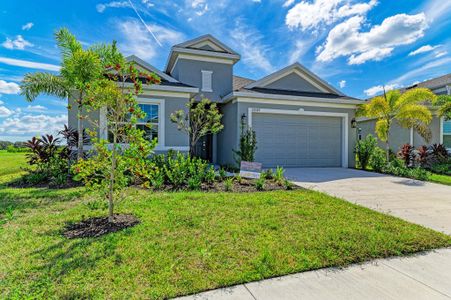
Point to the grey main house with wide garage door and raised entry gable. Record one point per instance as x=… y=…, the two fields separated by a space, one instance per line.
x=300 y=120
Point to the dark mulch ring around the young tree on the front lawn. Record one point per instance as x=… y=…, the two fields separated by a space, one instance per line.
x=95 y=227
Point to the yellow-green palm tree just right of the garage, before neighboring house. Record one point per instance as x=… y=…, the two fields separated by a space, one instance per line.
x=408 y=110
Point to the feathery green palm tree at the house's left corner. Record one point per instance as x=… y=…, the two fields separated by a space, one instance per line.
x=79 y=68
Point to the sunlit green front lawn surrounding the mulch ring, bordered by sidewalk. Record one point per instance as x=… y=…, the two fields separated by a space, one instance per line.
x=187 y=242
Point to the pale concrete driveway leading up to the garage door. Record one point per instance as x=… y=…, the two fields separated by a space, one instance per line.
x=424 y=203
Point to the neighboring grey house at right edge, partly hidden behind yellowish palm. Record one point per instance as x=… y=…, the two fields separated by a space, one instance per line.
x=441 y=129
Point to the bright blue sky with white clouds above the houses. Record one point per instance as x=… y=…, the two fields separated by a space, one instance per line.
x=356 y=45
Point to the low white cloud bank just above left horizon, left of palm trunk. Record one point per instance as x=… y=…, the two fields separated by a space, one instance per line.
x=32 y=125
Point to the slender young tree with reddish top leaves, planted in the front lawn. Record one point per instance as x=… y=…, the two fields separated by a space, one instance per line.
x=106 y=169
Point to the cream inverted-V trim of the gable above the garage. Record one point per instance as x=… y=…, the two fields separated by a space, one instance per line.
x=302 y=72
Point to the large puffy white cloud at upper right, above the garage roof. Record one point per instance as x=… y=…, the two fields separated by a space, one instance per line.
x=347 y=39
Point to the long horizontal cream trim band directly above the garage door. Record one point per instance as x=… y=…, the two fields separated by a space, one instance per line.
x=303 y=101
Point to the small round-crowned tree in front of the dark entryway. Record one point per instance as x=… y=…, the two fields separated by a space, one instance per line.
x=203 y=118
